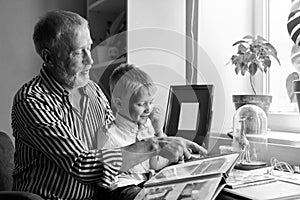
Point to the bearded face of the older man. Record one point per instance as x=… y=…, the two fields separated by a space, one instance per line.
x=75 y=61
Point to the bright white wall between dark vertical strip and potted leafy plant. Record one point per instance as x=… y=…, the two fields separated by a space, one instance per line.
x=221 y=23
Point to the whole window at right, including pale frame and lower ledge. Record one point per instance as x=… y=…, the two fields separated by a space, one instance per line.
x=282 y=109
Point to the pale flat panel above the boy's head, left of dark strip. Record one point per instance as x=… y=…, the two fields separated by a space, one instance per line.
x=156 y=41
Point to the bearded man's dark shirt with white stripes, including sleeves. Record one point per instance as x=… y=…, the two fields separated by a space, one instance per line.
x=55 y=144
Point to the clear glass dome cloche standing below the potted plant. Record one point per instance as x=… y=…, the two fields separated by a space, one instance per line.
x=250 y=128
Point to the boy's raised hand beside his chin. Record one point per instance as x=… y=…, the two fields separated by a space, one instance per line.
x=157 y=120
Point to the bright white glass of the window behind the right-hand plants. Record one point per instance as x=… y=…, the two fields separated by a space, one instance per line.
x=279 y=37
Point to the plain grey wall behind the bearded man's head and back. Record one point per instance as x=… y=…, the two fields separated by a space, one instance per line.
x=18 y=60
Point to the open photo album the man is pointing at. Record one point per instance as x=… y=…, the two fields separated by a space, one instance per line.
x=202 y=178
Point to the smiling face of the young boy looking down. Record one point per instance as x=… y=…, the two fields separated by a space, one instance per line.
x=139 y=106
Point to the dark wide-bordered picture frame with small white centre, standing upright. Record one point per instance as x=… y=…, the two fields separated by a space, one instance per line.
x=189 y=112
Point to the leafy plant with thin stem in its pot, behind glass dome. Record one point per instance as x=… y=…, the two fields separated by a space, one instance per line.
x=254 y=54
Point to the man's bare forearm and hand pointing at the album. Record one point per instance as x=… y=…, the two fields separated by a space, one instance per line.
x=172 y=148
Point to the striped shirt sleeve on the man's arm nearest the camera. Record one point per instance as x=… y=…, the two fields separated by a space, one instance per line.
x=40 y=126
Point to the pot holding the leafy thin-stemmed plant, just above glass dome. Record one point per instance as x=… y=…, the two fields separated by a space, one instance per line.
x=263 y=101
